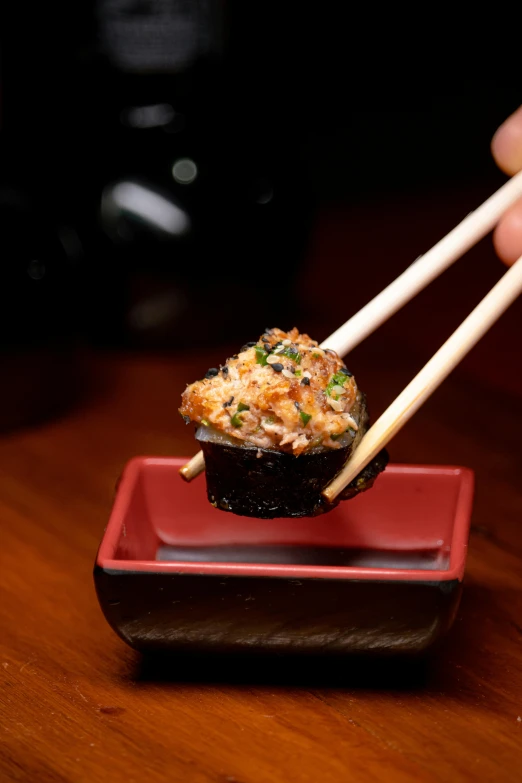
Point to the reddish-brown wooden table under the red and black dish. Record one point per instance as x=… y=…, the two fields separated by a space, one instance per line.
x=77 y=705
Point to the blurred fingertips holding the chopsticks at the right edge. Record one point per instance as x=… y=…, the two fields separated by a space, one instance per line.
x=506 y=147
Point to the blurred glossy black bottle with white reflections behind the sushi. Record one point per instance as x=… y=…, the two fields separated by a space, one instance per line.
x=149 y=127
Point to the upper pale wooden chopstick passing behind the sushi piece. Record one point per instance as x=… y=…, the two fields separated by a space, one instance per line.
x=416 y=277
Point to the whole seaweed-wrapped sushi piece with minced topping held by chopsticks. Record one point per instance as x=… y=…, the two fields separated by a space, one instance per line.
x=276 y=423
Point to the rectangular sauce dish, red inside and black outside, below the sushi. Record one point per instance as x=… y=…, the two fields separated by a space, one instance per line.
x=381 y=573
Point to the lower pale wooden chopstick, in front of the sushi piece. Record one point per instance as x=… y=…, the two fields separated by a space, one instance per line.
x=501 y=296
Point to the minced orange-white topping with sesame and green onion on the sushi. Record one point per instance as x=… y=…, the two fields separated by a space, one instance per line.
x=282 y=392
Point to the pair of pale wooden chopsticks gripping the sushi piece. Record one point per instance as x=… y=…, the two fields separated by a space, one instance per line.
x=416 y=277
